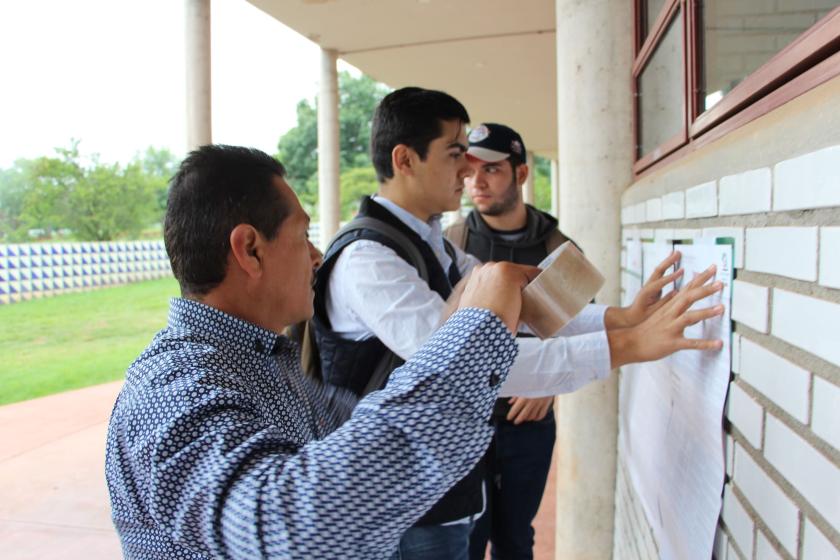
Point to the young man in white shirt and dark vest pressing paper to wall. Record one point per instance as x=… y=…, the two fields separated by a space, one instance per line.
x=370 y=300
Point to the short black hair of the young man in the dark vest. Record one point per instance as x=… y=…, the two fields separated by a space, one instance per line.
x=412 y=116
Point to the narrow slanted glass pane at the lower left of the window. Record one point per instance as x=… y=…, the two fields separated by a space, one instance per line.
x=661 y=97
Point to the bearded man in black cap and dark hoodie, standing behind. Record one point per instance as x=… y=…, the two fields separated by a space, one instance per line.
x=503 y=228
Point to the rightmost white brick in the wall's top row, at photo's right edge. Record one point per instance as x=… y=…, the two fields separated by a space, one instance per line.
x=808 y=181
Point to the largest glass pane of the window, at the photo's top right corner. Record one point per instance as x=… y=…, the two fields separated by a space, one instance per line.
x=739 y=37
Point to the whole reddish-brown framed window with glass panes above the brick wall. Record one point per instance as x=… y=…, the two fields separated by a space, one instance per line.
x=705 y=67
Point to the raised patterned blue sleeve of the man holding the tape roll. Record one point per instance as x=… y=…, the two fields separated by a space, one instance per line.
x=362 y=486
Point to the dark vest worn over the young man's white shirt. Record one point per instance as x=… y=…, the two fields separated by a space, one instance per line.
x=349 y=364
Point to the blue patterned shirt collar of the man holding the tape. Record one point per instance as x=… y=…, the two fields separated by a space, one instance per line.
x=196 y=317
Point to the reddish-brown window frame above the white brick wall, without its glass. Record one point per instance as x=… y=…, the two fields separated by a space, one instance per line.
x=811 y=59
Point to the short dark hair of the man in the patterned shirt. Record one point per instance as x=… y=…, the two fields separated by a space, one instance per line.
x=216 y=188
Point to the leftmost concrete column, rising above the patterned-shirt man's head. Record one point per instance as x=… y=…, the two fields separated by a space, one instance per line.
x=197 y=35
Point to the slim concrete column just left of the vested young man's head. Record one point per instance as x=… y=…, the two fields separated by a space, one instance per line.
x=329 y=196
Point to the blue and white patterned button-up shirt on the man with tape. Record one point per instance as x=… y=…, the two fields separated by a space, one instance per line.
x=219 y=447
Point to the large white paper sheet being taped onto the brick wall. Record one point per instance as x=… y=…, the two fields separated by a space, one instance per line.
x=672 y=410
